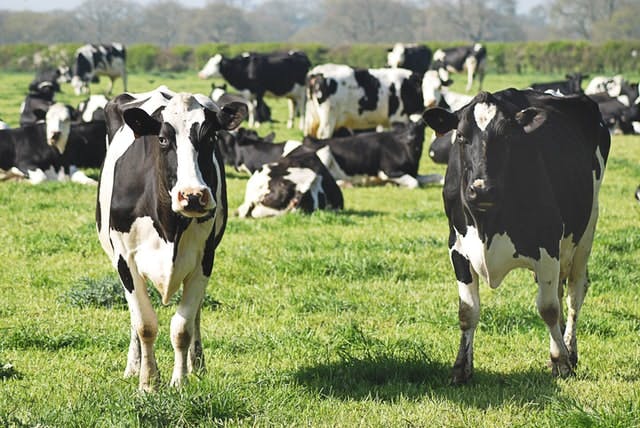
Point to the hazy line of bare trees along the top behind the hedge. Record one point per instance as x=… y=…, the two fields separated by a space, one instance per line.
x=167 y=23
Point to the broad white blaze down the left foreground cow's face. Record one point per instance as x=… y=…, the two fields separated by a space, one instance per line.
x=181 y=113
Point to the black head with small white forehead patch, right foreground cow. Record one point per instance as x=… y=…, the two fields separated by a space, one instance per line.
x=485 y=133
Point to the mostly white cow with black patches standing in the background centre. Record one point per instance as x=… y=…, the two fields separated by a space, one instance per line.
x=356 y=98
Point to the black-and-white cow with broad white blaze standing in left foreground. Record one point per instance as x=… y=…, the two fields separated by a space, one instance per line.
x=161 y=213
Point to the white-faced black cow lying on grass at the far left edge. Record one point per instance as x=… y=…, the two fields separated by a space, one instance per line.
x=36 y=152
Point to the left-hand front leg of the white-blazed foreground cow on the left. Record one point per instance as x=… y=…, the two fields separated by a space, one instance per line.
x=144 y=322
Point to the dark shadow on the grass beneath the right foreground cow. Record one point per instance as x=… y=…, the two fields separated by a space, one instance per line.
x=390 y=379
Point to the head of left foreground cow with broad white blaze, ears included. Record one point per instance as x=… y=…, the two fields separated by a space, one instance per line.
x=185 y=133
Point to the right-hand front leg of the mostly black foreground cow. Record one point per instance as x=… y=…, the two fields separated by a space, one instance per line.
x=547 y=276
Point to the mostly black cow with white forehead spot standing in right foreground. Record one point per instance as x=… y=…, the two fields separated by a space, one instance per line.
x=521 y=190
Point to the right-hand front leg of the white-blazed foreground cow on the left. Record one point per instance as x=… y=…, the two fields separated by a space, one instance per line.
x=183 y=324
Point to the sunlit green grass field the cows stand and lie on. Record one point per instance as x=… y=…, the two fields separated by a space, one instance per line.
x=332 y=319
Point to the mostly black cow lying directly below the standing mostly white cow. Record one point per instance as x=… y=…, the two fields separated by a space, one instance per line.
x=380 y=157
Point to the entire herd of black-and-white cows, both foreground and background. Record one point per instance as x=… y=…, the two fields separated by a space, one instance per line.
x=520 y=191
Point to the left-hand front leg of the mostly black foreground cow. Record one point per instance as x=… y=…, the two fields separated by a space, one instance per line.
x=468 y=315
